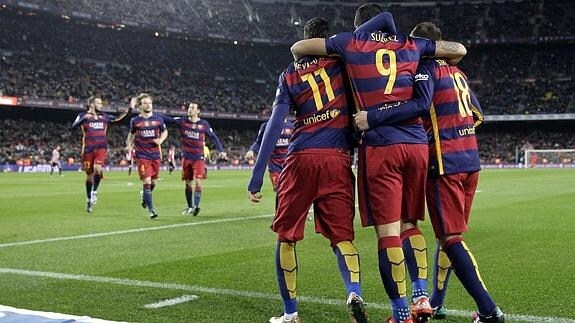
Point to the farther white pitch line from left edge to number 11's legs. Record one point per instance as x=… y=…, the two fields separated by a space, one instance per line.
x=104 y=234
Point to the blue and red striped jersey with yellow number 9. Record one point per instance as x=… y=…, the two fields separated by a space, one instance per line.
x=381 y=69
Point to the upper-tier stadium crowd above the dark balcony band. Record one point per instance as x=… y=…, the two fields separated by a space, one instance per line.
x=41 y=58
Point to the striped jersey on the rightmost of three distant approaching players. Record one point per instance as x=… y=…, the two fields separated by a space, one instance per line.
x=193 y=137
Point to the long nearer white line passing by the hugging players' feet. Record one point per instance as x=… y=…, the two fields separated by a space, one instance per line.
x=250 y=294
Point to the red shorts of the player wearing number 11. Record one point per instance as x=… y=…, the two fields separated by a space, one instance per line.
x=322 y=177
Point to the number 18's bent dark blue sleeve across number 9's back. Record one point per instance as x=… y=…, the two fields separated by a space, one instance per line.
x=420 y=103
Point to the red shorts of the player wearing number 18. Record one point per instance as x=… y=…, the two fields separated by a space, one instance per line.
x=449 y=199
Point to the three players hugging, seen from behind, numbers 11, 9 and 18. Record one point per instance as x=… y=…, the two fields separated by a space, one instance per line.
x=404 y=105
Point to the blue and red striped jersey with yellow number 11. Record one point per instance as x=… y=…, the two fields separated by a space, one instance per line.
x=315 y=88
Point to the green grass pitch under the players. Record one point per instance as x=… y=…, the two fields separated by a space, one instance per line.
x=110 y=264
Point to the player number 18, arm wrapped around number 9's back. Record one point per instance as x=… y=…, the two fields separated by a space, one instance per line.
x=451 y=113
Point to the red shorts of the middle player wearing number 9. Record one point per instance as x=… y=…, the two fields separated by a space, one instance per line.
x=391 y=183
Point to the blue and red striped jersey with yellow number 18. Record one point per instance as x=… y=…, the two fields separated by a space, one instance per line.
x=452 y=118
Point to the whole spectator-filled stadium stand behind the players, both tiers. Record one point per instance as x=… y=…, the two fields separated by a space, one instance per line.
x=227 y=55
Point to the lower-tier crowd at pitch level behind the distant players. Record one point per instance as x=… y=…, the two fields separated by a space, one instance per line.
x=34 y=141
